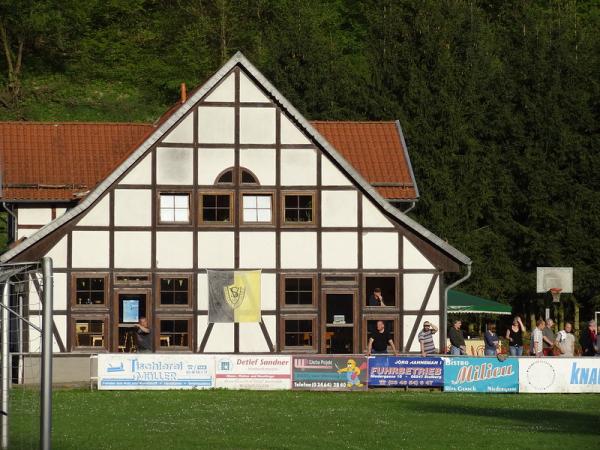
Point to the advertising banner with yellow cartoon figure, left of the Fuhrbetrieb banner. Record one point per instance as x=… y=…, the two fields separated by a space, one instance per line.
x=332 y=373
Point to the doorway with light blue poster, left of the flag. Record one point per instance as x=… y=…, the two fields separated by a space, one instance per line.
x=130 y=305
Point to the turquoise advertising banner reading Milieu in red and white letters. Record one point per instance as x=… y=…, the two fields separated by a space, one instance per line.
x=481 y=375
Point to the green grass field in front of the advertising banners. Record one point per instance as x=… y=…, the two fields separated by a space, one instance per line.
x=269 y=420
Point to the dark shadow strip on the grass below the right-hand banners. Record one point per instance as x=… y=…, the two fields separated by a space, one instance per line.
x=558 y=421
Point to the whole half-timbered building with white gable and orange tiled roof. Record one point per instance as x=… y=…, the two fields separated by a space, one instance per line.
x=233 y=178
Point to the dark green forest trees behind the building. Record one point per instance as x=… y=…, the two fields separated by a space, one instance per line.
x=499 y=101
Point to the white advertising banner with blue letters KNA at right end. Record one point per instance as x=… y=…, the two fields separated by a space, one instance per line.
x=551 y=375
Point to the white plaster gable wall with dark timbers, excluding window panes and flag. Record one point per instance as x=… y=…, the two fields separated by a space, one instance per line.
x=349 y=235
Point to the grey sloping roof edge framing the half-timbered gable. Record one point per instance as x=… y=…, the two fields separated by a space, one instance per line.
x=238 y=59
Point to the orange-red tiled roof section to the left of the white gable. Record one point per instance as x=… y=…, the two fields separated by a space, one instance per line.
x=61 y=161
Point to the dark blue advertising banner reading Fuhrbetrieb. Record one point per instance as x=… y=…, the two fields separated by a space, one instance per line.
x=393 y=371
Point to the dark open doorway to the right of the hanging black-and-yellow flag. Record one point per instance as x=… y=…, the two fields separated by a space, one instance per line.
x=341 y=331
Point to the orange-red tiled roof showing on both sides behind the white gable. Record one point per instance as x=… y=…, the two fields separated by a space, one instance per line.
x=64 y=161
